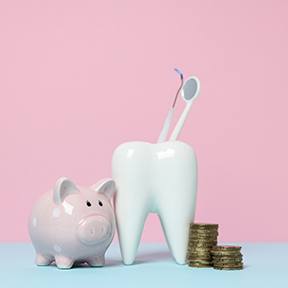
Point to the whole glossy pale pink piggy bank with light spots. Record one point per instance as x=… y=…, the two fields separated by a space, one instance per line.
x=73 y=224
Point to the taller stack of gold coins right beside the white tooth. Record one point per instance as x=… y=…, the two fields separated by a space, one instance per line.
x=202 y=237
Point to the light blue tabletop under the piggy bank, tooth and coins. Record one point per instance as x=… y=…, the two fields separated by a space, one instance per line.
x=265 y=266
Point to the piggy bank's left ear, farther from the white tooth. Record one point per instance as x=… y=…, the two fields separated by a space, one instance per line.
x=63 y=187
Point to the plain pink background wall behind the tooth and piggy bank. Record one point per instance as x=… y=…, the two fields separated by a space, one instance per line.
x=77 y=78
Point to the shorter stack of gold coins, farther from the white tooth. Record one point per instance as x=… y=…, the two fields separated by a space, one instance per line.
x=227 y=257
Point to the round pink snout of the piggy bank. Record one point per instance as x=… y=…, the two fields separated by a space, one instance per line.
x=94 y=229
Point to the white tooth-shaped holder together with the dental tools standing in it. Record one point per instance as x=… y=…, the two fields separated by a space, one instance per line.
x=159 y=178
